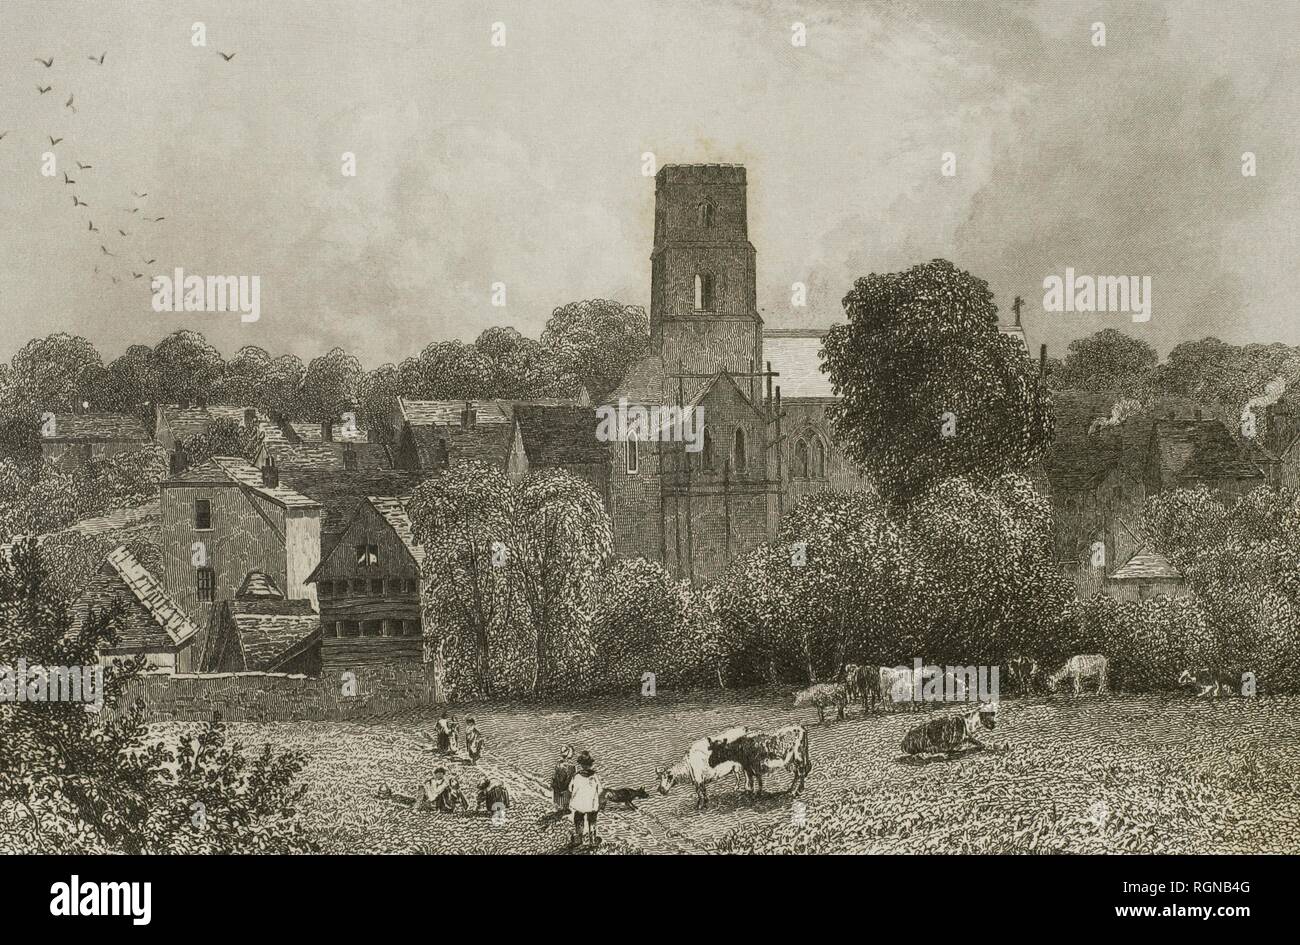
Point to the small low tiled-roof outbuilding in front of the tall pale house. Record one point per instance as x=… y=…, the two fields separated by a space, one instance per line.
x=262 y=631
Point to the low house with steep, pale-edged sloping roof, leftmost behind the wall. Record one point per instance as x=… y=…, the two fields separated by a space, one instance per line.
x=155 y=627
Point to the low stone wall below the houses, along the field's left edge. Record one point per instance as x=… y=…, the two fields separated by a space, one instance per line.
x=372 y=690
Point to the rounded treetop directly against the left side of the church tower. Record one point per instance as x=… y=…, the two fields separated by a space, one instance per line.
x=597 y=341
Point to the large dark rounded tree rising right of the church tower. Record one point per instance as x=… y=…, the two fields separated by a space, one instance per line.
x=928 y=385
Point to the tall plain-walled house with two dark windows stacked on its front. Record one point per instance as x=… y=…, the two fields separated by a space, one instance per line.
x=224 y=519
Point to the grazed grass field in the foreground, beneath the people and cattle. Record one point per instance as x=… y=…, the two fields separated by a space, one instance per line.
x=1115 y=774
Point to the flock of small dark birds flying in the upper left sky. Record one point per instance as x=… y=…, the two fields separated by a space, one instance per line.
x=127 y=245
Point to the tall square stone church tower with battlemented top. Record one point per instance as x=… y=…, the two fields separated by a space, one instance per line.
x=704 y=315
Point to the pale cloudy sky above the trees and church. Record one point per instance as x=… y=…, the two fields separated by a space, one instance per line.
x=523 y=163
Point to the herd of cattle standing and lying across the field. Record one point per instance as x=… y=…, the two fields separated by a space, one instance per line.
x=739 y=752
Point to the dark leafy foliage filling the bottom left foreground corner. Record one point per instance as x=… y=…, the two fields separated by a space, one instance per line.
x=79 y=782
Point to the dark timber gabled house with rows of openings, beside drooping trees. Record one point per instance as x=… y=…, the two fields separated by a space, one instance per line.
x=369 y=587
